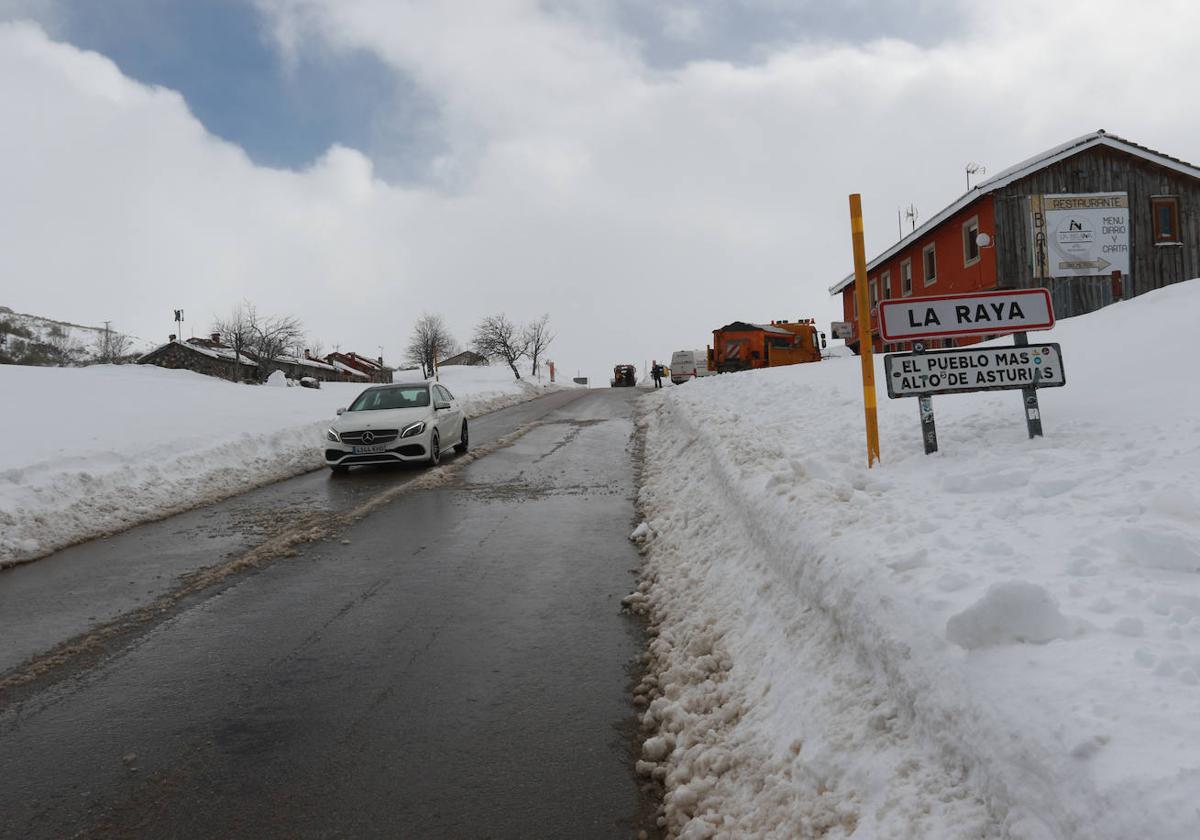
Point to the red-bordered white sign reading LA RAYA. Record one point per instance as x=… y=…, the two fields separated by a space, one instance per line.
x=965 y=315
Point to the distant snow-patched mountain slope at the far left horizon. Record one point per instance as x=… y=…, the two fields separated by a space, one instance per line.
x=37 y=340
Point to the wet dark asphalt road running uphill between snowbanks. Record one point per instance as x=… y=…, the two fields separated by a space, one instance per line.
x=453 y=665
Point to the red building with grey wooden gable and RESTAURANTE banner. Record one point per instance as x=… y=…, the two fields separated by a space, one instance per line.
x=1130 y=209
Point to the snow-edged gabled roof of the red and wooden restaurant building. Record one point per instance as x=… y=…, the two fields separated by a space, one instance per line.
x=1015 y=173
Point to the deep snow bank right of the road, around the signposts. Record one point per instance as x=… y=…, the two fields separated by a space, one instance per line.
x=998 y=641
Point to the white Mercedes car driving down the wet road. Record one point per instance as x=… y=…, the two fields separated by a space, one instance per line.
x=395 y=424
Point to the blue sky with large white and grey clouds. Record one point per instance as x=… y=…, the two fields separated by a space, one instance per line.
x=644 y=172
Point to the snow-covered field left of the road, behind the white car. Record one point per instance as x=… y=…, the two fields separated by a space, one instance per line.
x=93 y=451
